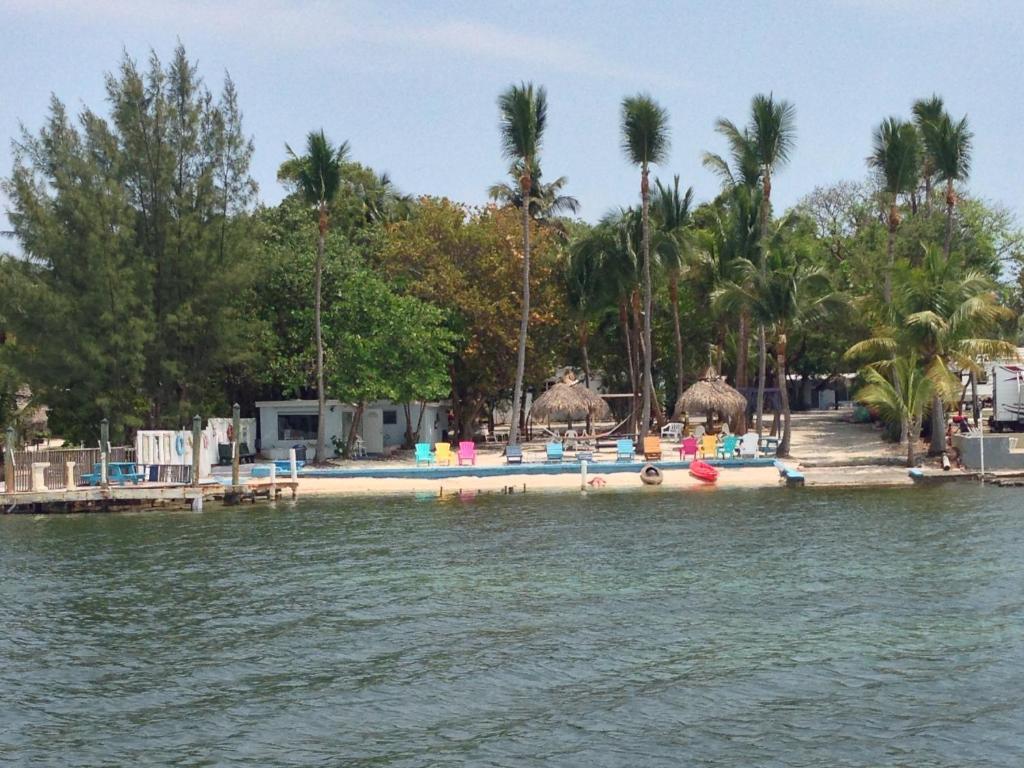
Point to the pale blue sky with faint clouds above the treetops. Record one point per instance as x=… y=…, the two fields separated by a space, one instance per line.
x=413 y=87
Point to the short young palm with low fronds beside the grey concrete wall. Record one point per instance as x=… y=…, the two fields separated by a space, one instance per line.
x=904 y=400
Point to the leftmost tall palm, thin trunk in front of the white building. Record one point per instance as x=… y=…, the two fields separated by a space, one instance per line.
x=318 y=178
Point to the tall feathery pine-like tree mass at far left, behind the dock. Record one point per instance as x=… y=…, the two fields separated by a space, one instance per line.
x=135 y=231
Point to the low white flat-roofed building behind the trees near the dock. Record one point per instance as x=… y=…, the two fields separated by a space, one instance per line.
x=284 y=424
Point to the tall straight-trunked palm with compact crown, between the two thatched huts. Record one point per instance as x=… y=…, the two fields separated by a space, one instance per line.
x=646 y=141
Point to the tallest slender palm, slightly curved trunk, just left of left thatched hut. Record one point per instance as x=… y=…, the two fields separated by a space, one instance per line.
x=524 y=117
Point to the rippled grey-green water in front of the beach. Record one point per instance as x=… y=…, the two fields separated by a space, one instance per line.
x=772 y=628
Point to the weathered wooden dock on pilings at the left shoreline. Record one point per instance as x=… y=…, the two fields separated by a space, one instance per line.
x=142 y=496
